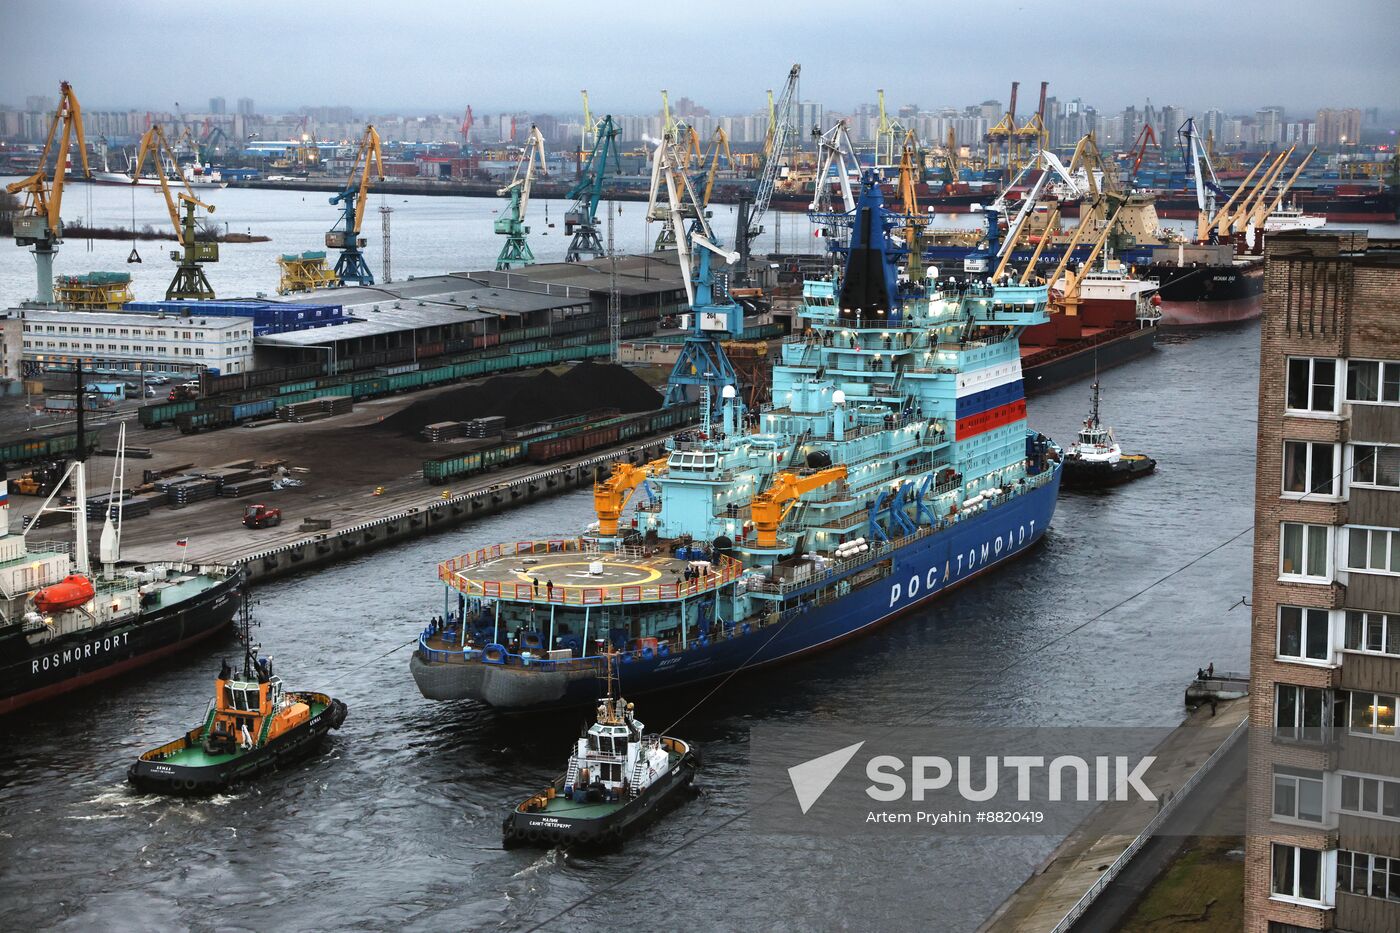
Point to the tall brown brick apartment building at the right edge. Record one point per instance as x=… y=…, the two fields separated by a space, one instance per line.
x=1324 y=848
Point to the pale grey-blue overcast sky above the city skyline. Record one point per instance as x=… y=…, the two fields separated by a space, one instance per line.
x=439 y=57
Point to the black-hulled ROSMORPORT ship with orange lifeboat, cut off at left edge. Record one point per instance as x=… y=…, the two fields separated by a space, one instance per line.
x=66 y=624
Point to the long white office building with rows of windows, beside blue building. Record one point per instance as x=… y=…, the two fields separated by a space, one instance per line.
x=139 y=343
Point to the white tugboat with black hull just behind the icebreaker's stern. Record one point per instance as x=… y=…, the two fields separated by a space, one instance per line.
x=618 y=781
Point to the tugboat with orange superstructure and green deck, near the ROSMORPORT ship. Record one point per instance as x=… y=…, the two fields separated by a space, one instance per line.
x=253 y=725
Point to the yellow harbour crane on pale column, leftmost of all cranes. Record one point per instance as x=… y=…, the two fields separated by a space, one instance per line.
x=40 y=223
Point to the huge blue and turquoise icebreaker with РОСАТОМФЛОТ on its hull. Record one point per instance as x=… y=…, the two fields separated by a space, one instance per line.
x=892 y=464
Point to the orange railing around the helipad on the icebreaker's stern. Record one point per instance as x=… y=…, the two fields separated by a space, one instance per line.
x=451 y=574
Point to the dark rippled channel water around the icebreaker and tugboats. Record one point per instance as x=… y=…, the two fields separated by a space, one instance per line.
x=397 y=826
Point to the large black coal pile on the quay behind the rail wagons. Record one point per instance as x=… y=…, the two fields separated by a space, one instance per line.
x=540 y=397
